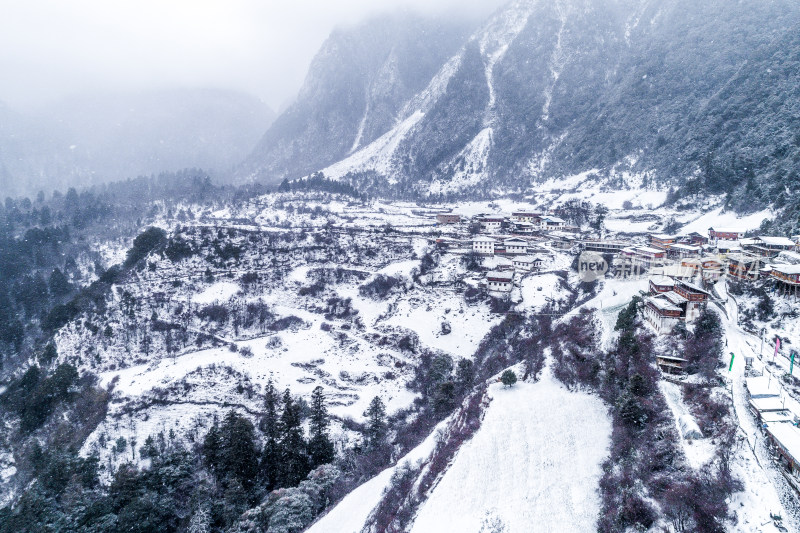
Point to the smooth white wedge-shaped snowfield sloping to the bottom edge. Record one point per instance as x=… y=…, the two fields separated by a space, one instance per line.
x=534 y=465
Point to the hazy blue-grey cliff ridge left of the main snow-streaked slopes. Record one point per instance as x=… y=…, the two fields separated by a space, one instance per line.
x=355 y=88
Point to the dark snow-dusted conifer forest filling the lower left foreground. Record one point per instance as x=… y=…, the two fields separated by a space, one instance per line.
x=271 y=476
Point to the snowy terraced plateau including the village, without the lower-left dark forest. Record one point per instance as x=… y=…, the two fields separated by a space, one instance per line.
x=420 y=310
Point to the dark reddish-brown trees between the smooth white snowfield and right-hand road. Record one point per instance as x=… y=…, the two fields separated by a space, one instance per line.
x=639 y=488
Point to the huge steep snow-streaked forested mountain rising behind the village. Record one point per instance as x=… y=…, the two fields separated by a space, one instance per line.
x=544 y=89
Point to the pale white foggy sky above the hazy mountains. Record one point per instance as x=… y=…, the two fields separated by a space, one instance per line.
x=55 y=48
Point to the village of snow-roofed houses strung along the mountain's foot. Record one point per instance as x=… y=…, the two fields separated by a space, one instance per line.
x=682 y=258
